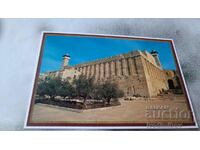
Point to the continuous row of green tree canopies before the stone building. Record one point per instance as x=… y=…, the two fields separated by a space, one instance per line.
x=81 y=87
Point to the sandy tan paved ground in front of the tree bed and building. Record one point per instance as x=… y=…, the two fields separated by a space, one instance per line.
x=171 y=109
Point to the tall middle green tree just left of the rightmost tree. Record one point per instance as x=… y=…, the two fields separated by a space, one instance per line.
x=84 y=87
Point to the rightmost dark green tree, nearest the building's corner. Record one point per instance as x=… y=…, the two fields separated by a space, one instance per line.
x=107 y=91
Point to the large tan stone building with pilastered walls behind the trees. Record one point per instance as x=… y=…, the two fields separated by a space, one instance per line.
x=137 y=73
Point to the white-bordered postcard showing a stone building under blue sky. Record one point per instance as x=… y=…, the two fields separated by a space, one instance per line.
x=90 y=81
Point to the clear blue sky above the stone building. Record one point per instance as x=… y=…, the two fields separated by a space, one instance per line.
x=84 y=49
